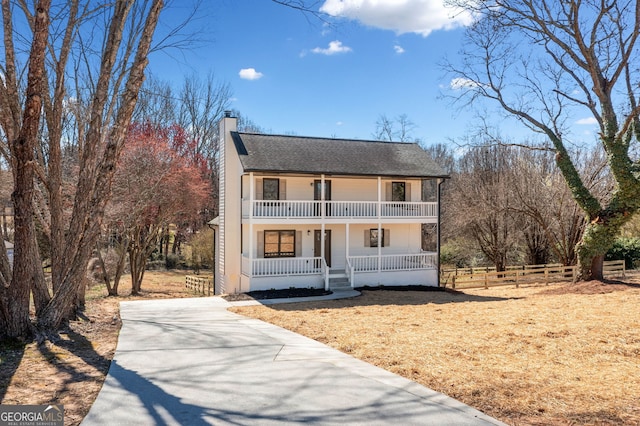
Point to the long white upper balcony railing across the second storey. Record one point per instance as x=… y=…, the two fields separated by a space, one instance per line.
x=337 y=209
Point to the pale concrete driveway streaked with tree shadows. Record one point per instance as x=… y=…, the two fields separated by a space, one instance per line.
x=191 y=362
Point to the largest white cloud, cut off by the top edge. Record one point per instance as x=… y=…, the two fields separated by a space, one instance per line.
x=406 y=16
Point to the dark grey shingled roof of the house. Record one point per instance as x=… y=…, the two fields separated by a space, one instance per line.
x=296 y=154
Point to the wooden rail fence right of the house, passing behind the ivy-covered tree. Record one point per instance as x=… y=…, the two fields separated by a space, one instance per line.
x=479 y=278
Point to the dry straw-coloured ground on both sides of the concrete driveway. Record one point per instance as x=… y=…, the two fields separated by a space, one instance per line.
x=557 y=355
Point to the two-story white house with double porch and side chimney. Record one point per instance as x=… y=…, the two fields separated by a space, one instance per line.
x=316 y=212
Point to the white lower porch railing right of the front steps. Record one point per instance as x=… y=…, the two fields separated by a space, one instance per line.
x=393 y=262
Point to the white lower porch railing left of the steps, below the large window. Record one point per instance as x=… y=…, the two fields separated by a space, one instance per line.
x=283 y=266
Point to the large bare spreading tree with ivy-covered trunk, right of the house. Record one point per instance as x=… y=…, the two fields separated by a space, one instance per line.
x=543 y=62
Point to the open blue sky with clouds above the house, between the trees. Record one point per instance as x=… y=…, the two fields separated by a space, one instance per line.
x=290 y=73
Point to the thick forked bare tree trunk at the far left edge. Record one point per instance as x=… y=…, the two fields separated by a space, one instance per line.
x=21 y=128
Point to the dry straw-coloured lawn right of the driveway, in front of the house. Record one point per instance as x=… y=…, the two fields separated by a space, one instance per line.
x=558 y=355
